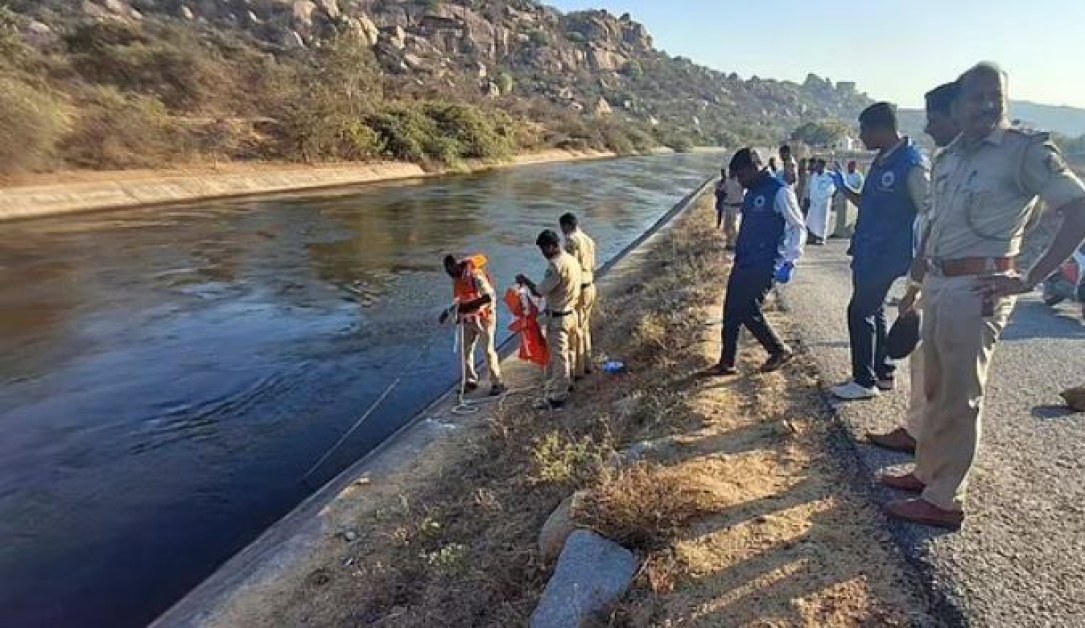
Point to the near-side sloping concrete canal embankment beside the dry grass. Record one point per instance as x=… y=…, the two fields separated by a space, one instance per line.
x=301 y=542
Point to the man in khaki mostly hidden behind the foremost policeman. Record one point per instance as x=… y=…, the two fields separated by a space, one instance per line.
x=942 y=129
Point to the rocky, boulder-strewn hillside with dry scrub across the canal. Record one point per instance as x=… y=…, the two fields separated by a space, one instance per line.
x=561 y=80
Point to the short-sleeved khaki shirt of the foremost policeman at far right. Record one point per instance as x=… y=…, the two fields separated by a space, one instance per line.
x=984 y=195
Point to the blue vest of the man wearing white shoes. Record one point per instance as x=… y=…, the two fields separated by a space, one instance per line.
x=884 y=232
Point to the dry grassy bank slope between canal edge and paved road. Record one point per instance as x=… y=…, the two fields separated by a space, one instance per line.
x=742 y=515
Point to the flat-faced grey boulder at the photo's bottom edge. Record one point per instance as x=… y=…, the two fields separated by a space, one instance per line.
x=592 y=574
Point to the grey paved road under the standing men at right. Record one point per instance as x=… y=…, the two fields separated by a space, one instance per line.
x=1020 y=560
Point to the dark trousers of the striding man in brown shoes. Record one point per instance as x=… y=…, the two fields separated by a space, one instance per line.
x=747 y=289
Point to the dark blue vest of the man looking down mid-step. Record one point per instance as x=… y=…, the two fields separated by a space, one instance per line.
x=762 y=227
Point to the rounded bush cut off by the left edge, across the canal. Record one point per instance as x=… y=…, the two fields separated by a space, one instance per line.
x=32 y=123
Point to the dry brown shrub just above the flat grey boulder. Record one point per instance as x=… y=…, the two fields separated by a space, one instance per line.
x=645 y=506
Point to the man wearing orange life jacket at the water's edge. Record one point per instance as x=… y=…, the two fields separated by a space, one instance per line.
x=475 y=311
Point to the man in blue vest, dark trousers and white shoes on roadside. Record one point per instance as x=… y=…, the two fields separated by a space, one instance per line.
x=896 y=193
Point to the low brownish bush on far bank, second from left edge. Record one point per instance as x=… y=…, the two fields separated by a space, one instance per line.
x=119 y=131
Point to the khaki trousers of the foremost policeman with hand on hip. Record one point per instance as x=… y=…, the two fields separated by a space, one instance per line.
x=959 y=344
